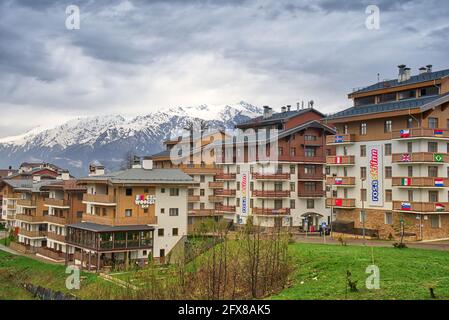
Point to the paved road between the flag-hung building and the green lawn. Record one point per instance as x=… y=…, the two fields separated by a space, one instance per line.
x=434 y=245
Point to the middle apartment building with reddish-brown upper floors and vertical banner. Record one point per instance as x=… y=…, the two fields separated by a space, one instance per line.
x=287 y=191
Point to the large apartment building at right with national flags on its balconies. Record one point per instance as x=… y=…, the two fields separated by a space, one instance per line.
x=391 y=168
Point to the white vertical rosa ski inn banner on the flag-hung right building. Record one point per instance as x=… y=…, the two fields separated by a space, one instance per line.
x=375 y=176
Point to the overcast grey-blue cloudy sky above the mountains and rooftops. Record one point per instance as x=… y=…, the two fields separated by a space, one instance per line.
x=134 y=57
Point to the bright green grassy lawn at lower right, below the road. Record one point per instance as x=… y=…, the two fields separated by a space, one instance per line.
x=404 y=273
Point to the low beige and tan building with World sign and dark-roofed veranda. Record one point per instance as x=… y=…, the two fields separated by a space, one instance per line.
x=131 y=216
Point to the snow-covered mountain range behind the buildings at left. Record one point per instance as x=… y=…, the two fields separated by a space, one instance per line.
x=109 y=139
